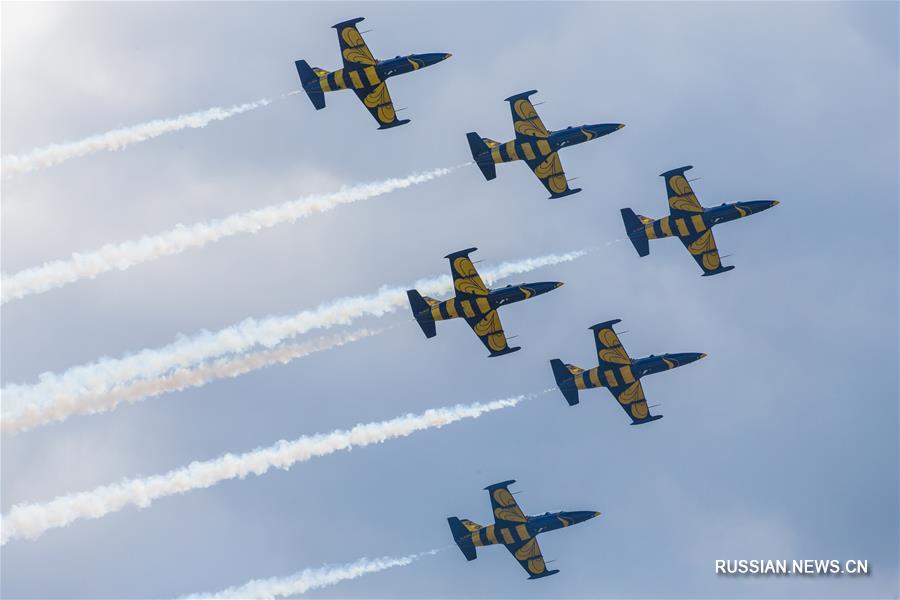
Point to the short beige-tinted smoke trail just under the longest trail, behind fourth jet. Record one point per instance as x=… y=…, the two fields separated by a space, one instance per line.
x=60 y=408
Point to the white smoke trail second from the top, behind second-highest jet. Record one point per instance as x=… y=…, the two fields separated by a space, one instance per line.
x=125 y=255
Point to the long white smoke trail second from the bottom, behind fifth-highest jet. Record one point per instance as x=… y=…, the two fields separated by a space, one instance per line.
x=31 y=520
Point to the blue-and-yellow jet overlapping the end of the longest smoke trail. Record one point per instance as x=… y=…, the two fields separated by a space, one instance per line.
x=474 y=302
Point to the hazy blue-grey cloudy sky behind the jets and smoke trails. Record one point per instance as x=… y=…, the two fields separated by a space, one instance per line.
x=781 y=444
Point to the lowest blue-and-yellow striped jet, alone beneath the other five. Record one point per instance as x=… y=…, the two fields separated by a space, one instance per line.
x=514 y=530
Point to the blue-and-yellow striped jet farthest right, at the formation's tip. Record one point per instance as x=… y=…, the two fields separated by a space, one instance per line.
x=689 y=222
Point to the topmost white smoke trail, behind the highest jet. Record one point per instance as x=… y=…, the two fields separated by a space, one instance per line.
x=118 y=139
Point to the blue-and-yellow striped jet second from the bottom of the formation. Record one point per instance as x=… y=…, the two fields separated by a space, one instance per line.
x=618 y=372
